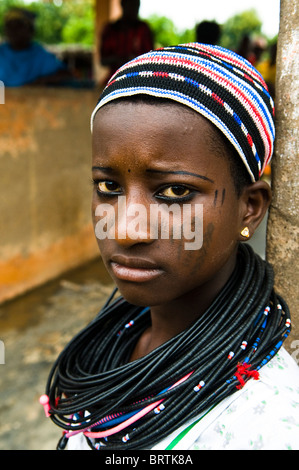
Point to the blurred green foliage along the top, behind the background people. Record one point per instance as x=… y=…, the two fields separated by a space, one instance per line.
x=74 y=22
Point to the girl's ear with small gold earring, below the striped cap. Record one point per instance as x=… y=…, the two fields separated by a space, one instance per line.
x=255 y=200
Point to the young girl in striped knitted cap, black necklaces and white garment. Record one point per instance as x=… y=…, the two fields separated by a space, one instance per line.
x=187 y=356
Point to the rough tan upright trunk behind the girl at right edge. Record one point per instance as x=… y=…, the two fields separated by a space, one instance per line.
x=283 y=222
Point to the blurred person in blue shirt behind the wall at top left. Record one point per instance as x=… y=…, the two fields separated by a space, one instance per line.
x=22 y=60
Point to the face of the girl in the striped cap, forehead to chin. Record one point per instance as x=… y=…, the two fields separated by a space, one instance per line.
x=158 y=156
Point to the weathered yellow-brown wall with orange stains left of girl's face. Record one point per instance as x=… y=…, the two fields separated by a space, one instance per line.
x=45 y=191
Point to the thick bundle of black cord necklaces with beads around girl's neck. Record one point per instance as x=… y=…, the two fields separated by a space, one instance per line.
x=117 y=404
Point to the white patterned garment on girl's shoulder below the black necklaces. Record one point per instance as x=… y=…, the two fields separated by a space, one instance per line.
x=264 y=414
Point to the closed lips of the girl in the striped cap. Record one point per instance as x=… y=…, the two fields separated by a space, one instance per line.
x=134 y=269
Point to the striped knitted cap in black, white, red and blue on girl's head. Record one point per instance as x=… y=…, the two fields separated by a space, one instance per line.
x=217 y=83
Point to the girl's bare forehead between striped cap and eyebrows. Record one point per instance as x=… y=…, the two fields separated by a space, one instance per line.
x=162 y=126
